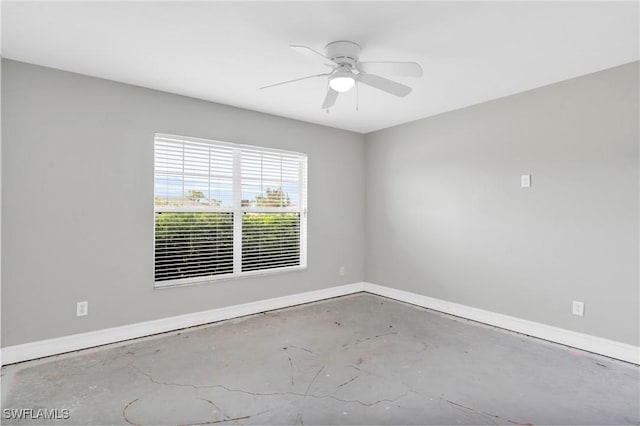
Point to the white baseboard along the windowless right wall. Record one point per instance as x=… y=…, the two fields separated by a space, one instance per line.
x=599 y=345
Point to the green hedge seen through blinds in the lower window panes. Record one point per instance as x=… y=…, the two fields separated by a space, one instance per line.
x=191 y=244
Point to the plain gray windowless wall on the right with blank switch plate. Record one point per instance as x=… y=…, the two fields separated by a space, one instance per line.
x=446 y=217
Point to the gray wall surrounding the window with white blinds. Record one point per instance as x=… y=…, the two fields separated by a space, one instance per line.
x=77 y=197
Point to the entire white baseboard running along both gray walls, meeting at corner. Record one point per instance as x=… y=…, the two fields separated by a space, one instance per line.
x=43 y=348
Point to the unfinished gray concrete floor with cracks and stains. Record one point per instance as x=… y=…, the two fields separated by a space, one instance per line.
x=358 y=359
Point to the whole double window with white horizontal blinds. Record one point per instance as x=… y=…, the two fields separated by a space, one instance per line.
x=225 y=210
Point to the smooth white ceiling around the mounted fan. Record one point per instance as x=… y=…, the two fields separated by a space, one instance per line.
x=223 y=52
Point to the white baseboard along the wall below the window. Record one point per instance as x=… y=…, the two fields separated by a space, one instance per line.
x=59 y=345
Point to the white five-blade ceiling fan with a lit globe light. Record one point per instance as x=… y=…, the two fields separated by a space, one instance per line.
x=347 y=70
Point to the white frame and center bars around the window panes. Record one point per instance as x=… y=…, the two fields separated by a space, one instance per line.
x=238 y=211
